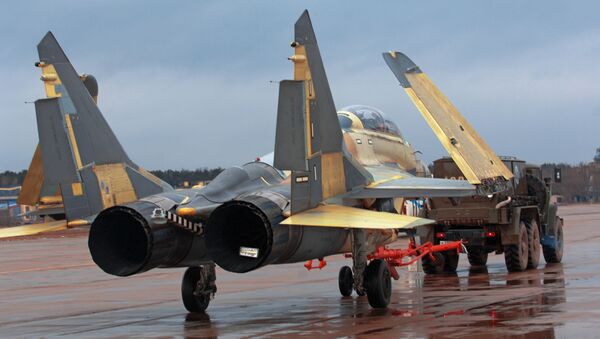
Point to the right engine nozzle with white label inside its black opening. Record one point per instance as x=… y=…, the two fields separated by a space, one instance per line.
x=240 y=234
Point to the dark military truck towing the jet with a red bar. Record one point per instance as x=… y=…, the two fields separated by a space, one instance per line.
x=519 y=222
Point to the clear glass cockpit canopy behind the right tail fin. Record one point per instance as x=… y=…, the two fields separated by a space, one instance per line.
x=366 y=117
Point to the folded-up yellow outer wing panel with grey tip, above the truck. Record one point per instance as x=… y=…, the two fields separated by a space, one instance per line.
x=471 y=153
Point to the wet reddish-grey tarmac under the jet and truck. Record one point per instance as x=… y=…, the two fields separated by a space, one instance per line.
x=50 y=287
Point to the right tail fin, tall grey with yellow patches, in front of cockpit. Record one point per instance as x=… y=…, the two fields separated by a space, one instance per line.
x=309 y=139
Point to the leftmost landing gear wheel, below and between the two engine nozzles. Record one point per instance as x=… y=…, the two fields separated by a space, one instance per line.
x=198 y=287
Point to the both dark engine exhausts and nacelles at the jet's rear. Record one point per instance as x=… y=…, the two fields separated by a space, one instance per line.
x=240 y=236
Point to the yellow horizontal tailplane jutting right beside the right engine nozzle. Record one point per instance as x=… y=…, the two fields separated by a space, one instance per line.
x=351 y=217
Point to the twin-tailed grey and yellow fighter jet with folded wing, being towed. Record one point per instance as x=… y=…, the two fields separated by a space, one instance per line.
x=336 y=186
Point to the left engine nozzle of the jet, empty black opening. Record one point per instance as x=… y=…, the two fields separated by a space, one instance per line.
x=124 y=241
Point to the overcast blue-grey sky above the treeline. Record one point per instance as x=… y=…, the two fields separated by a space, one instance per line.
x=188 y=84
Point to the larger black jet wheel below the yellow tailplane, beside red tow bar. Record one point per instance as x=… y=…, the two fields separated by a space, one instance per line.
x=378 y=283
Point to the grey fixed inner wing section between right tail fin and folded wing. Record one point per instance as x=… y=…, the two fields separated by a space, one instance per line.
x=414 y=187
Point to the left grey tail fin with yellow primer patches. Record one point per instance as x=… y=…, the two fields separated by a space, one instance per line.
x=79 y=151
